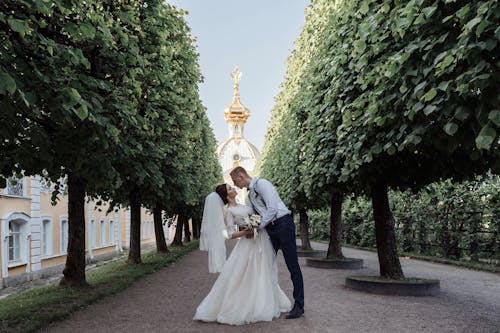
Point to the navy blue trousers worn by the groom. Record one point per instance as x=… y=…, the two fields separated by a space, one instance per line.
x=282 y=236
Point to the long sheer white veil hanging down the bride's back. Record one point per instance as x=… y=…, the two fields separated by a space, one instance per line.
x=211 y=233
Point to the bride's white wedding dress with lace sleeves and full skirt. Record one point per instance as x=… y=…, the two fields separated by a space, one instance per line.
x=247 y=289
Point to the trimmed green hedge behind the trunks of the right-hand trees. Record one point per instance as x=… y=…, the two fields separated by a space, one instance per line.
x=445 y=219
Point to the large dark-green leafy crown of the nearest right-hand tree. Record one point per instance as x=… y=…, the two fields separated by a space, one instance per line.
x=414 y=92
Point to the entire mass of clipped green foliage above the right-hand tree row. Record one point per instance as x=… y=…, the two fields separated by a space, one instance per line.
x=387 y=89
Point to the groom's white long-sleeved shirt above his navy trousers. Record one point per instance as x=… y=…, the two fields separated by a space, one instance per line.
x=266 y=201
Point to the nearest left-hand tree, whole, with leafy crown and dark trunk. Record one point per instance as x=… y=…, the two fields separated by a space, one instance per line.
x=59 y=93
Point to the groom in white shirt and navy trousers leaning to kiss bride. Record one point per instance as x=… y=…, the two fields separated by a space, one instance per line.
x=278 y=221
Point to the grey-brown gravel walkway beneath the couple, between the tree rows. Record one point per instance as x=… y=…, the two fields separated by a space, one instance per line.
x=166 y=301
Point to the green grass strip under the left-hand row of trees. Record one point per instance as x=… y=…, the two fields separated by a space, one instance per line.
x=36 y=308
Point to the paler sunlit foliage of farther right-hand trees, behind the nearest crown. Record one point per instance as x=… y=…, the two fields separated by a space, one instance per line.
x=283 y=157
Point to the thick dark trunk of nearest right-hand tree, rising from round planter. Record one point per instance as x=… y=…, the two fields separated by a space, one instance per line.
x=390 y=267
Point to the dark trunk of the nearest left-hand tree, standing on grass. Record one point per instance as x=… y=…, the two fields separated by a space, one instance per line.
x=74 y=270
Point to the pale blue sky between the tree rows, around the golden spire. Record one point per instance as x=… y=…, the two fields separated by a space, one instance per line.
x=255 y=35
